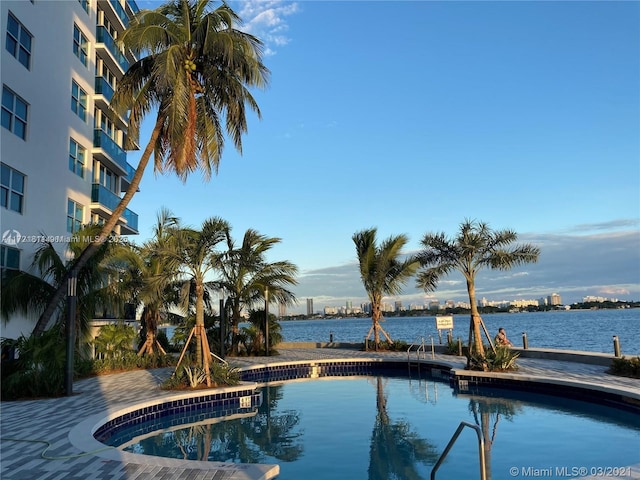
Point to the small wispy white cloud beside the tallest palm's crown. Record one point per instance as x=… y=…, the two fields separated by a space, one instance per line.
x=267 y=20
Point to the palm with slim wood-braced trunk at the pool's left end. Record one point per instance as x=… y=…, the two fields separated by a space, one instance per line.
x=192 y=253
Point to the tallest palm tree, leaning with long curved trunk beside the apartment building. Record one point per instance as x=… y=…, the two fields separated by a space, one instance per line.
x=195 y=71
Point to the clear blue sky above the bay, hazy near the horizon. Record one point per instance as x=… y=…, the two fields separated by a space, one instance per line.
x=414 y=116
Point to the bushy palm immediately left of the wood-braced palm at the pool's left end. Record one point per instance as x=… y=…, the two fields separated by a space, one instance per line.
x=147 y=278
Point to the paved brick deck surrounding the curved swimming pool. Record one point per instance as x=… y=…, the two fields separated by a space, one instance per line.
x=37 y=422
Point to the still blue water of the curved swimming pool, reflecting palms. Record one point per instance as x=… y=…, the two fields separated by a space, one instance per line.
x=383 y=427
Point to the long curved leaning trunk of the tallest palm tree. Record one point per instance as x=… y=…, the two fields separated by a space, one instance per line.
x=92 y=248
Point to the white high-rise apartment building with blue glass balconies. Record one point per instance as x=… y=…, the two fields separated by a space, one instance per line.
x=63 y=164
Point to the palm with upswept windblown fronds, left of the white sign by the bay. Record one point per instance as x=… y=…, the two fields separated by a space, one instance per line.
x=382 y=271
